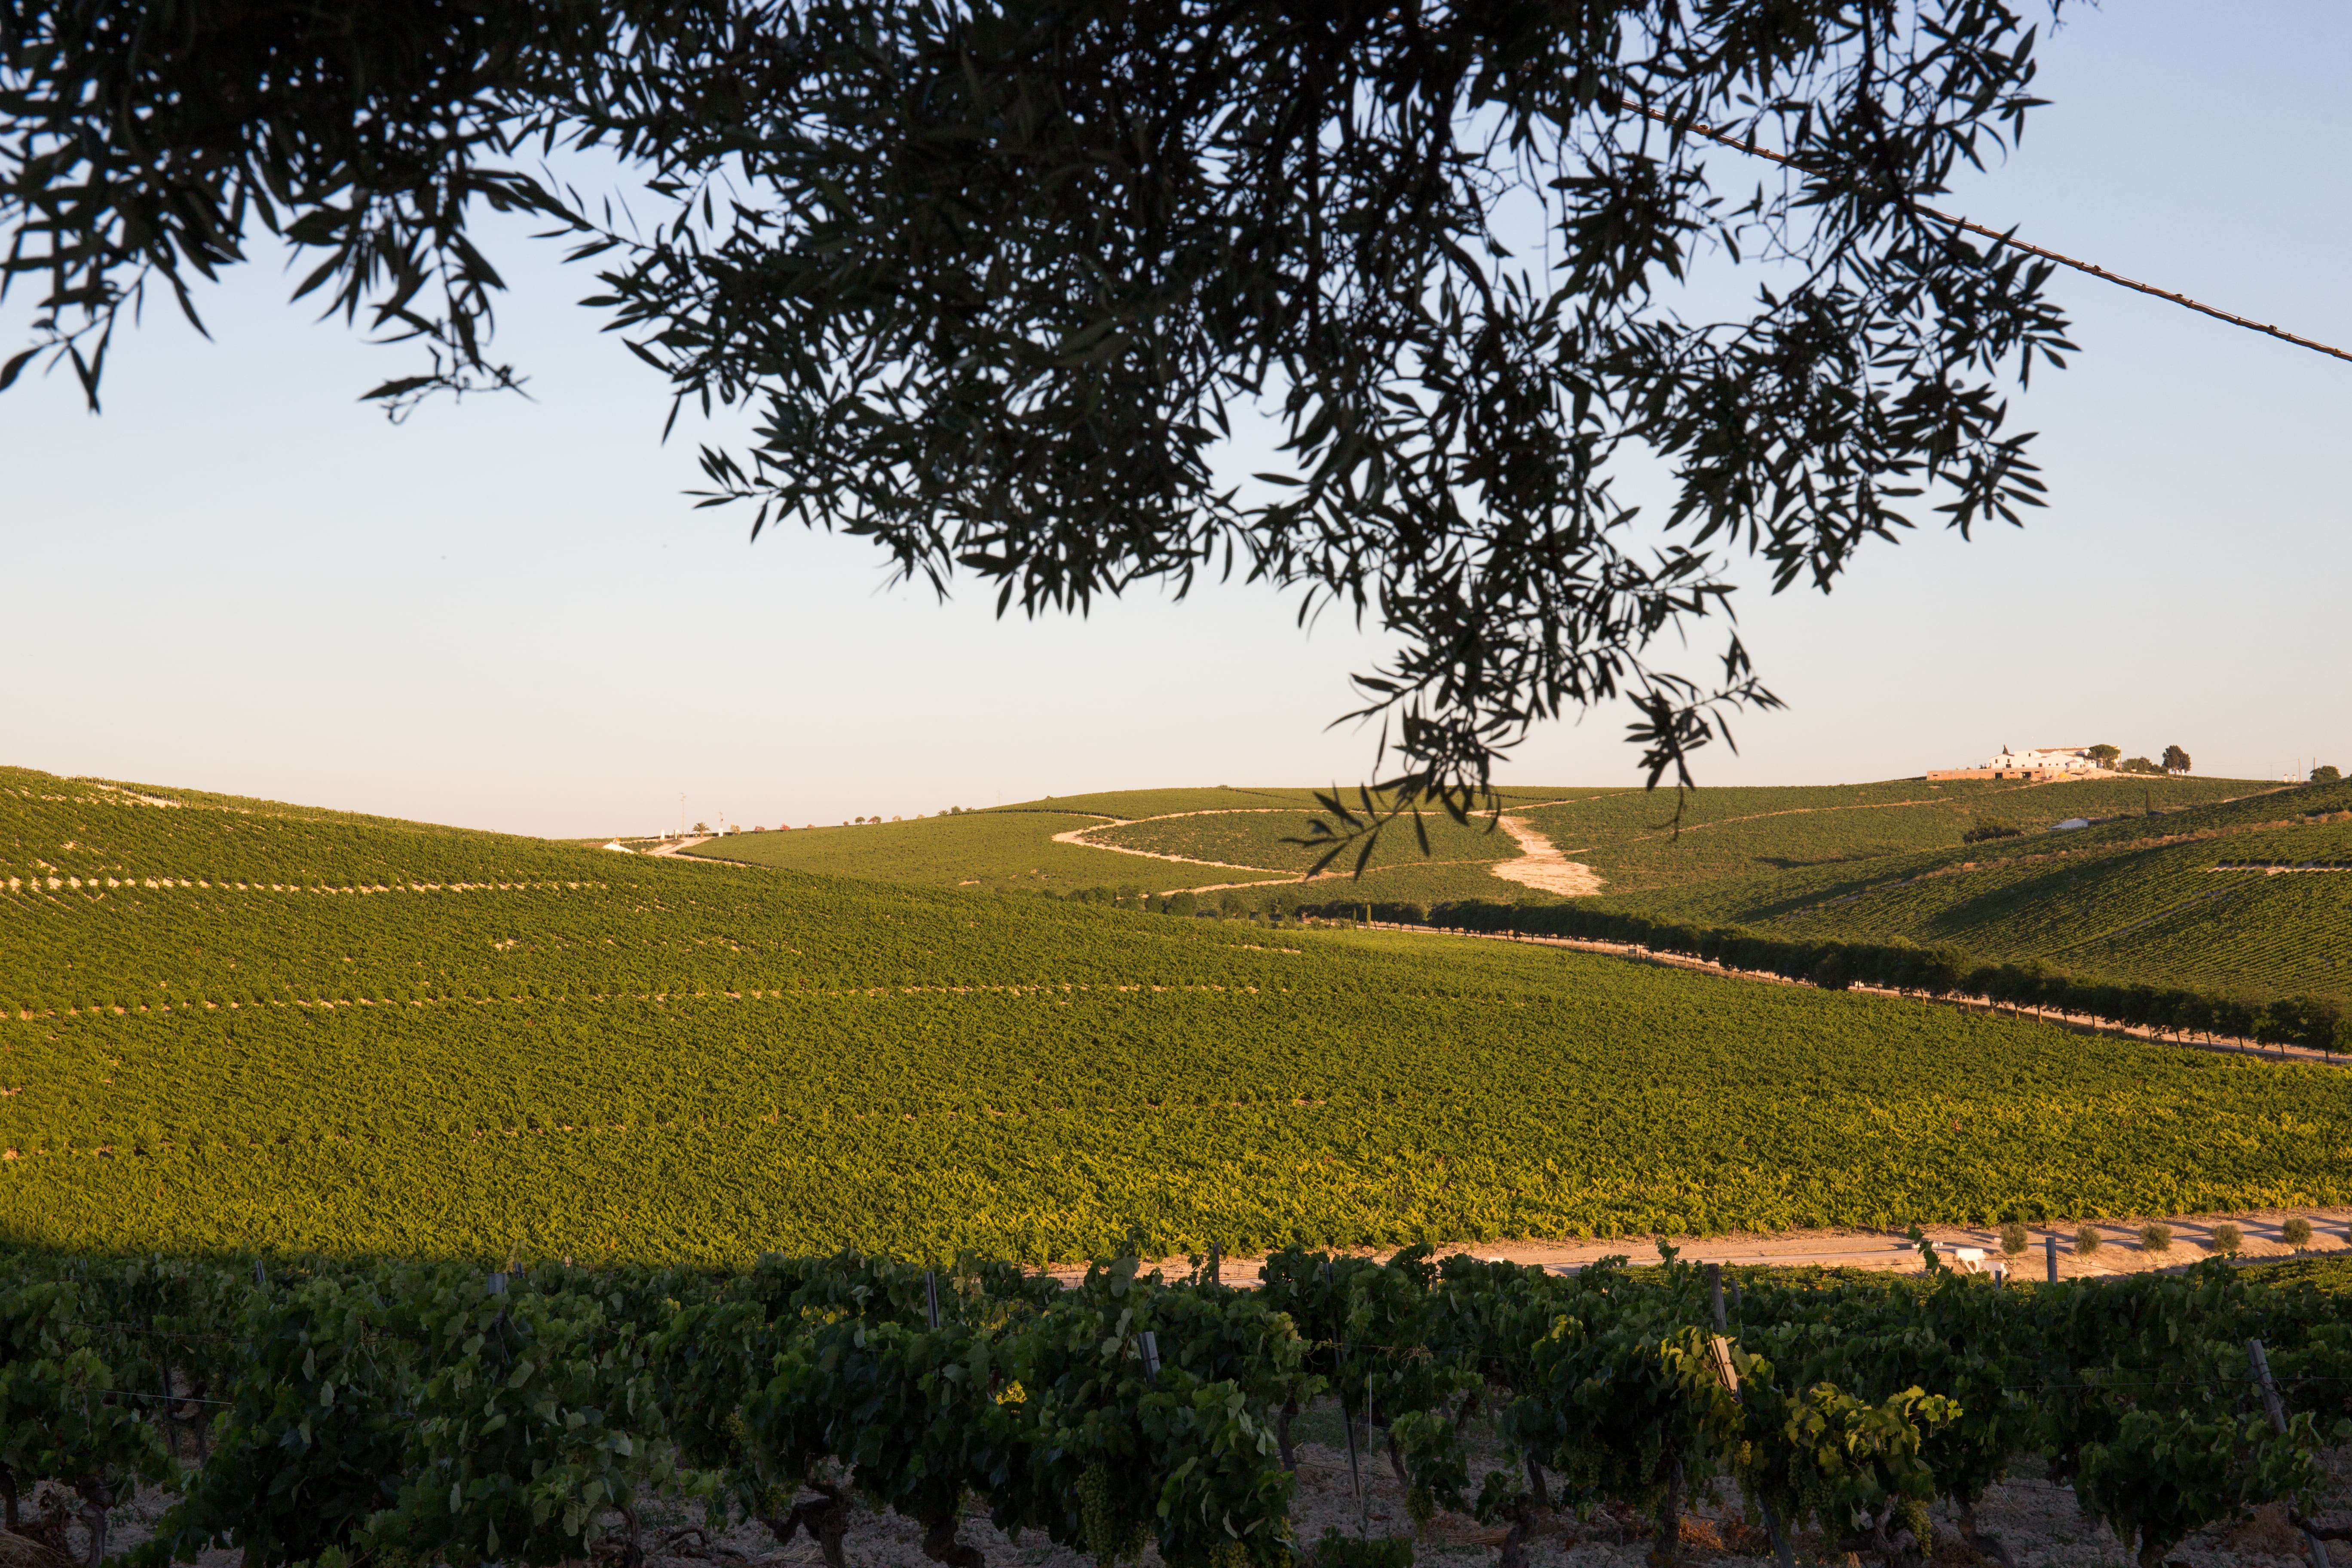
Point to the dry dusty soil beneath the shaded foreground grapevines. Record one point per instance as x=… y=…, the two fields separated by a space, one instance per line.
x=2036 y=1520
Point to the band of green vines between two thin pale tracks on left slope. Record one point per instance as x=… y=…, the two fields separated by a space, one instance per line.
x=655 y=930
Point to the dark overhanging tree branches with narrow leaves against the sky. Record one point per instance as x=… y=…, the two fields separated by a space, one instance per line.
x=1001 y=279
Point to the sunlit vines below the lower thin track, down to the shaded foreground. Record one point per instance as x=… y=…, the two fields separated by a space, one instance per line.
x=1368 y=1092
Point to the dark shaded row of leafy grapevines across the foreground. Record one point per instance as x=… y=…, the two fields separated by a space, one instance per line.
x=530 y=1416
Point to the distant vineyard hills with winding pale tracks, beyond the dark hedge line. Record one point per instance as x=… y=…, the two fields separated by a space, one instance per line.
x=2132 y=897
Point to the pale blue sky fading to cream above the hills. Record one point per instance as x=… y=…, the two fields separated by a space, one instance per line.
x=505 y=615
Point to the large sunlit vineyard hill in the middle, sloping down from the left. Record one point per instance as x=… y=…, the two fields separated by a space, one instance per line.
x=234 y=1024
